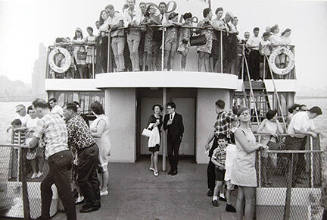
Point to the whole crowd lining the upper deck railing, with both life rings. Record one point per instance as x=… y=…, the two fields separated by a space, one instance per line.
x=148 y=38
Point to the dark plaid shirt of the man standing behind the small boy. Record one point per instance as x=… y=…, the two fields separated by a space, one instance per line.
x=223 y=124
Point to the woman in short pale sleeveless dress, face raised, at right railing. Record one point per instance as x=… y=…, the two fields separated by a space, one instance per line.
x=243 y=171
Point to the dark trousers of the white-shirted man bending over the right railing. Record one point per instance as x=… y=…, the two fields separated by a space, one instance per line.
x=299 y=164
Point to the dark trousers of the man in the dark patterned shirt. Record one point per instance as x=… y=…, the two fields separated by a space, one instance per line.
x=87 y=175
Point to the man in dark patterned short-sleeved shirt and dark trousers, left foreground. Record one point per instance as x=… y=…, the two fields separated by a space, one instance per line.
x=81 y=141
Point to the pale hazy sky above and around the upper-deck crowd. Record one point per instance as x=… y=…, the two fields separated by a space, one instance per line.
x=24 y=24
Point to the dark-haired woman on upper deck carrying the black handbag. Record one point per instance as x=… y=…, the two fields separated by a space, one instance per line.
x=205 y=50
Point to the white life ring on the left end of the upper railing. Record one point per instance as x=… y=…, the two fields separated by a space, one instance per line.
x=66 y=56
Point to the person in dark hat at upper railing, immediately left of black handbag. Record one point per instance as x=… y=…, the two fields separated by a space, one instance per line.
x=184 y=42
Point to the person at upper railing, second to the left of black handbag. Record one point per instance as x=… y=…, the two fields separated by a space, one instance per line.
x=171 y=40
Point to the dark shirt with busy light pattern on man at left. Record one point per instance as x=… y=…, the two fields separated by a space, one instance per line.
x=79 y=134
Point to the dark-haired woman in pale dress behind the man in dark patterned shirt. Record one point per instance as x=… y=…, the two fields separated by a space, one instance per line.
x=100 y=131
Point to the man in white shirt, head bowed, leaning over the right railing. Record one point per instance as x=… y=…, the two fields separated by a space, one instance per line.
x=301 y=125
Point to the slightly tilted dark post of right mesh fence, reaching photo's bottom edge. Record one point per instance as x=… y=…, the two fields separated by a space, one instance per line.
x=287 y=209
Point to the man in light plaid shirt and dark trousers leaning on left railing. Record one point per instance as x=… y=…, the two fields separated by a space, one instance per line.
x=53 y=129
